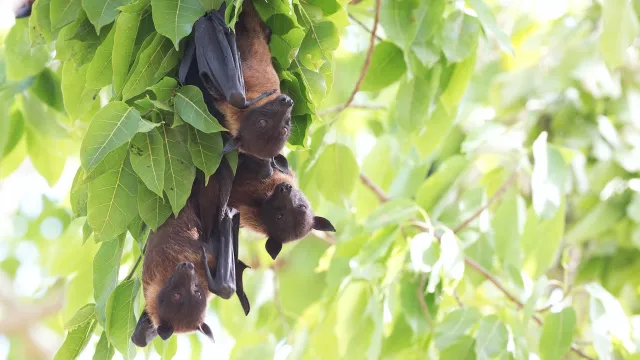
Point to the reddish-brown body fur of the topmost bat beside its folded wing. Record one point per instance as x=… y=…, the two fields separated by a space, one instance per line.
x=257 y=70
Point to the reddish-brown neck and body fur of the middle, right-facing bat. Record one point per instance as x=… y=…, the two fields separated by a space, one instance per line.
x=248 y=197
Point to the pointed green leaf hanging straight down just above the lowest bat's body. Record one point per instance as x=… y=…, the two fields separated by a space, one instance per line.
x=179 y=172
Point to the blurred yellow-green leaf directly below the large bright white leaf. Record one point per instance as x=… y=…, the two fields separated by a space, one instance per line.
x=539 y=255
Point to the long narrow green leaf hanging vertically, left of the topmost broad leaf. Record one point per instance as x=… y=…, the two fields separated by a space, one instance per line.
x=126 y=32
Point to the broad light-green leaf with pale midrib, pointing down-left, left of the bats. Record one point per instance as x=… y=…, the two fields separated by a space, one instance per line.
x=114 y=125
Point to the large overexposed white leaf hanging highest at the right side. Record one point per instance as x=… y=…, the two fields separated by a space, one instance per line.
x=548 y=178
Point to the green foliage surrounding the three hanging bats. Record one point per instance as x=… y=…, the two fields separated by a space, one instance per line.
x=484 y=181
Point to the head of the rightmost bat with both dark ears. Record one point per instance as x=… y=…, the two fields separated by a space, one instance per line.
x=287 y=216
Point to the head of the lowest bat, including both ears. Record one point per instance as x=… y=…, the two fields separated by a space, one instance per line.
x=179 y=307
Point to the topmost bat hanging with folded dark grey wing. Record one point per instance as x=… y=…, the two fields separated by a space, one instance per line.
x=237 y=76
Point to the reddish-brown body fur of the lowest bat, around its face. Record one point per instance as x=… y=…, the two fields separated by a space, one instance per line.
x=175 y=241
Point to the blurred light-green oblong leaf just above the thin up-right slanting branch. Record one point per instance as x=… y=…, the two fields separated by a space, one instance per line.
x=437 y=185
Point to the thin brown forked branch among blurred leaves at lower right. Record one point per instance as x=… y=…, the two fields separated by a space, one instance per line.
x=467 y=260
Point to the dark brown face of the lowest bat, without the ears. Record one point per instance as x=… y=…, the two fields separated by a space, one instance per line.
x=181 y=303
